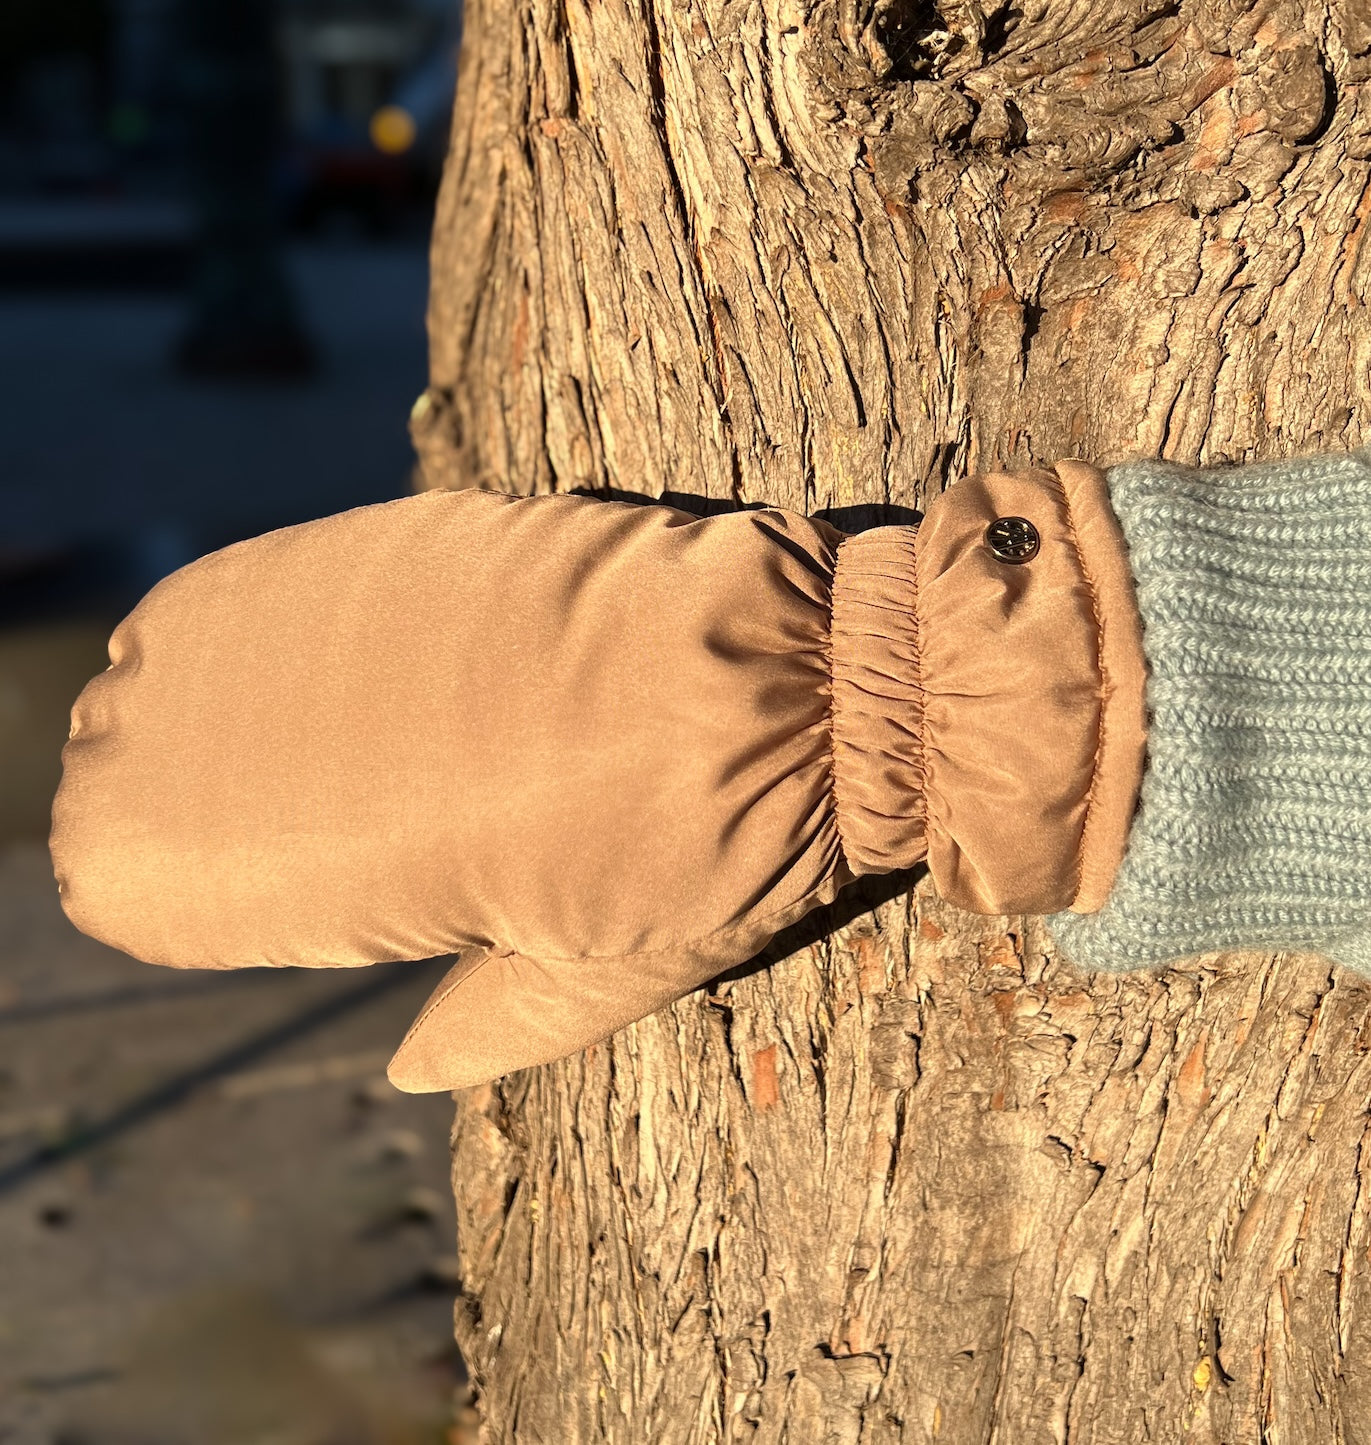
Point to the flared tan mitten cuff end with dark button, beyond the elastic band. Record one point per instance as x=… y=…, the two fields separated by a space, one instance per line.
x=1032 y=680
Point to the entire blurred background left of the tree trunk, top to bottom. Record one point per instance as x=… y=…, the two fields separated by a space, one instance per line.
x=219 y=1223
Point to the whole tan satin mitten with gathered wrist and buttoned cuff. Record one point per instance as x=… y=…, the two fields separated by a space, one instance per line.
x=600 y=751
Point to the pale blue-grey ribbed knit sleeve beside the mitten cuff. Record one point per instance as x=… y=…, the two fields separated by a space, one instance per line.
x=1253 y=827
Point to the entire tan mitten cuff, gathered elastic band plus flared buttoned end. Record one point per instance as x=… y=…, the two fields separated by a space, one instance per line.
x=989 y=715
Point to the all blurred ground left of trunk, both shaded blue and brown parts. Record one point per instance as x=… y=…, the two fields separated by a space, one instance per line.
x=219 y=1223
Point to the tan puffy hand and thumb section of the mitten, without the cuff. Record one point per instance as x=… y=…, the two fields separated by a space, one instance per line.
x=590 y=739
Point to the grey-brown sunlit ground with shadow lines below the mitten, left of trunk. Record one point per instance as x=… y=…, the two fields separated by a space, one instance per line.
x=217 y=1160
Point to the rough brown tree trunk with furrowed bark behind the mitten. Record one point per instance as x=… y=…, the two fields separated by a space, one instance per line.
x=917 y=1180
